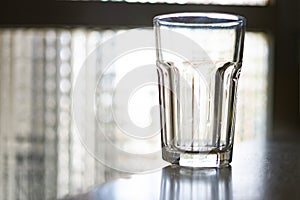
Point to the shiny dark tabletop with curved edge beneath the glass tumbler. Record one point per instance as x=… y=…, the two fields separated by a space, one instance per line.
x=261 y=169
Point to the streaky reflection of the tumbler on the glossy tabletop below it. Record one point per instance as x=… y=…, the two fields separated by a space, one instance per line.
x=188 y=183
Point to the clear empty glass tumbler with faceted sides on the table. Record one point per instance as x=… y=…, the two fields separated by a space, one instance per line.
x=199 y=59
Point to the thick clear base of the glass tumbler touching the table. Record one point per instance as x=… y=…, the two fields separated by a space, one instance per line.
x=203 y=160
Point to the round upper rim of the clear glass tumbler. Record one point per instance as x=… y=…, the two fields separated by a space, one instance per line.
x=199 y=19
